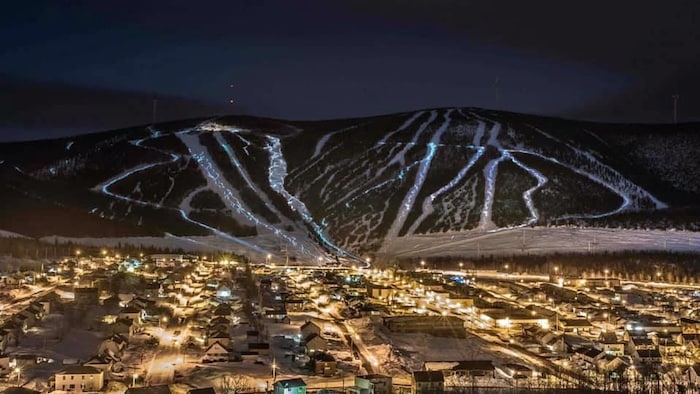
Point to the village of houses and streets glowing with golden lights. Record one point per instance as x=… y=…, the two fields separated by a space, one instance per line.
x=99 y=321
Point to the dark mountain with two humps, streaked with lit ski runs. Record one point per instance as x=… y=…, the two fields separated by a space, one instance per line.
x=353 y=186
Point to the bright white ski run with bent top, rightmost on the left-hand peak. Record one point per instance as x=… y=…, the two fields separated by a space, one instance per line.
x=277 y=172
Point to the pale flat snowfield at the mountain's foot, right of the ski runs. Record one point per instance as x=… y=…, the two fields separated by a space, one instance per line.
x=542 y=240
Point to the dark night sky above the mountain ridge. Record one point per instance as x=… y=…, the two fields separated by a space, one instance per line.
x=77 y=66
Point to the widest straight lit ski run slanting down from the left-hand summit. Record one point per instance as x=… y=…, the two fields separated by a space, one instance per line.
x=218 y=183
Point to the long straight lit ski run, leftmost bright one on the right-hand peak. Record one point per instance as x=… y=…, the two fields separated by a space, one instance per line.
x=410 y=198
